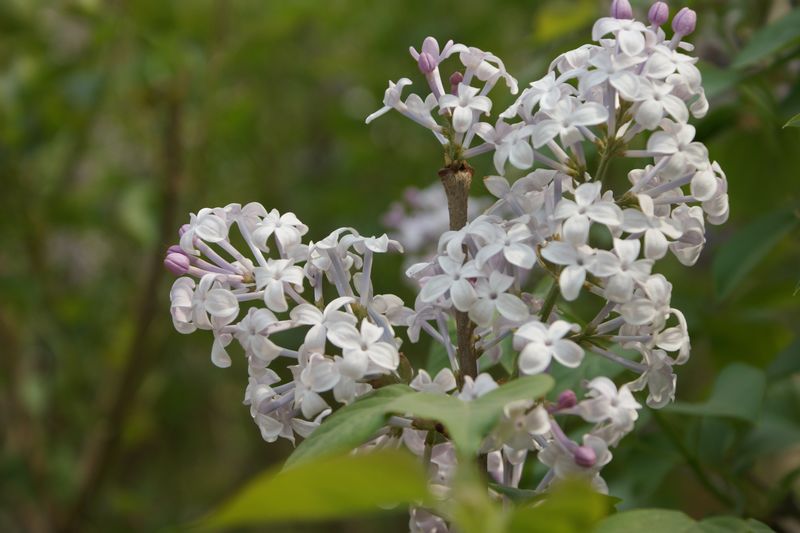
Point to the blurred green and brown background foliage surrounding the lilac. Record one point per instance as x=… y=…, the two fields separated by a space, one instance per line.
x=118 y=118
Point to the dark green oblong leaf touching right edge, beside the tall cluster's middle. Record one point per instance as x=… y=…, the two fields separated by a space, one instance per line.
x=743 y=251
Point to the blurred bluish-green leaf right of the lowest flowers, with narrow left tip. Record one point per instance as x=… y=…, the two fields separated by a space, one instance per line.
x=738 y=393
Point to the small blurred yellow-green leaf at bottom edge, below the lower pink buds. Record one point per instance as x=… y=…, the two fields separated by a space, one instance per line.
x=572 y=507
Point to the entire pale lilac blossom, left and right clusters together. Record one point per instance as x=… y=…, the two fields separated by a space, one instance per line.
x=496 y=282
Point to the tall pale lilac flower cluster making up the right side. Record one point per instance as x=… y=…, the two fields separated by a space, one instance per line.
x=628 y=95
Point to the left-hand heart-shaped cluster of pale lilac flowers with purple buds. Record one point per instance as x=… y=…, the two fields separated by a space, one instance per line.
x=254 y=297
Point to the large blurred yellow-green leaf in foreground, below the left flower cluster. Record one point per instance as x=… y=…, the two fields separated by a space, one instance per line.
x=330 y=488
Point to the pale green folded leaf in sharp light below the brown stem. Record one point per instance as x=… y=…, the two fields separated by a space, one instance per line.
x=469 y=422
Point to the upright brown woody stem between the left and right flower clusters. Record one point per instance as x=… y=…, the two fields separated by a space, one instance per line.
x=457 y=179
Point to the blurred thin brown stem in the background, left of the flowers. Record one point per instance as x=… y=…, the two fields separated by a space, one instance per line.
x=103 y=444
